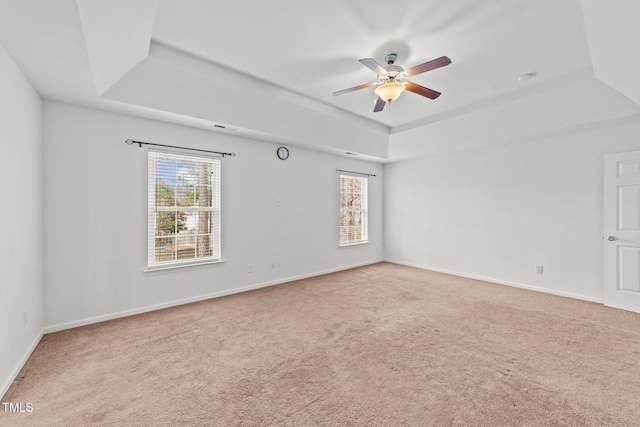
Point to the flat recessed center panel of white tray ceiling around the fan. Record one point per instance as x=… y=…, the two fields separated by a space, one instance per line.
x=312 y=48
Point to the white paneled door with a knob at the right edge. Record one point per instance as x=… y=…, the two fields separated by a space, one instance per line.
x=621 y=238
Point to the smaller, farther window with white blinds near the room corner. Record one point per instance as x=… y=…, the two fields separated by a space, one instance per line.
x=353 y=210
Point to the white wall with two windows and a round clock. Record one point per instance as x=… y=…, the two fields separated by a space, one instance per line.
x=95 y=222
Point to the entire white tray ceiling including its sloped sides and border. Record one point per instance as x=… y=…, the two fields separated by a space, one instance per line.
x=268 y=69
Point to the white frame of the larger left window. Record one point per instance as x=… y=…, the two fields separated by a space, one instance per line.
x=215 y=210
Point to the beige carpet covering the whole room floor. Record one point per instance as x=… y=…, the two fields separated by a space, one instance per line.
x=382 y=345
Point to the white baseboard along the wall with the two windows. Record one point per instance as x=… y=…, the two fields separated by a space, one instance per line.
x=140 y=310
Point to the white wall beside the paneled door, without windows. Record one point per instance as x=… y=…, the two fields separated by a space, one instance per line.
x=496 y=212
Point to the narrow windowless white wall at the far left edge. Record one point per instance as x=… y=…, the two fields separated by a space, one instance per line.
x=21 y=218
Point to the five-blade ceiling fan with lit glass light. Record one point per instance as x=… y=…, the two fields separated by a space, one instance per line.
x=391 y=77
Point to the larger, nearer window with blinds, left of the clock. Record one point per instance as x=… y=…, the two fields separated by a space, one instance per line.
x=184 y=209
